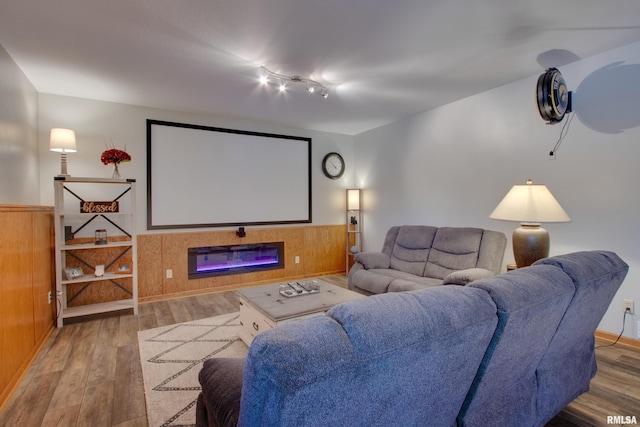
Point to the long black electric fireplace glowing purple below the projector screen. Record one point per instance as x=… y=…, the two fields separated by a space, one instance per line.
x=211 y=261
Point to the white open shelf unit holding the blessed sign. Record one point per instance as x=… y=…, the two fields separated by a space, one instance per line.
x=75 y=244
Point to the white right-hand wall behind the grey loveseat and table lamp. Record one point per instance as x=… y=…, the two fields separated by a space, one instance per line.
x=451 y=166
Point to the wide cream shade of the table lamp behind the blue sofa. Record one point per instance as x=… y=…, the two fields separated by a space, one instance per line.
x=532 y=203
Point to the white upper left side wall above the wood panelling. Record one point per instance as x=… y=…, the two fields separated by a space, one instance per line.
x=18 y=135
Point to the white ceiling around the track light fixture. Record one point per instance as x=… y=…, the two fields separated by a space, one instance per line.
x=381 y=60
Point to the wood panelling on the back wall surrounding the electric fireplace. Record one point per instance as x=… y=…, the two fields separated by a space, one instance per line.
x=321 y=251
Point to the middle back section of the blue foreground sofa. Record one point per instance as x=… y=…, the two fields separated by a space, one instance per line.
x=531 y=303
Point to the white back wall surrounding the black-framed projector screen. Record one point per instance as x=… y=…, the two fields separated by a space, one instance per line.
x=98 y=123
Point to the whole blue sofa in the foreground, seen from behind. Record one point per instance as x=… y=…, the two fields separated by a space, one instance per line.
x=513 y=349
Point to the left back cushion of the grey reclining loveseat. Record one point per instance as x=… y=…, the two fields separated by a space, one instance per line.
x=411 y=248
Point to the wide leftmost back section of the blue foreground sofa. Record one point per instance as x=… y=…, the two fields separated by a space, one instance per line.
x=393 y=359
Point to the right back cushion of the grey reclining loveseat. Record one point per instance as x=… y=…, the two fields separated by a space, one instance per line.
x=453 y=249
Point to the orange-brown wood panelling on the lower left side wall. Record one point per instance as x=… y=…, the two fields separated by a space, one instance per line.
x=26 y=263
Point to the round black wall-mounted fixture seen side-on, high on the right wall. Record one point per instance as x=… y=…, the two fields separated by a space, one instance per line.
x=552 y=96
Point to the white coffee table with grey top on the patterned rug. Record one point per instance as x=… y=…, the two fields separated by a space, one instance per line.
x=263 y=308
